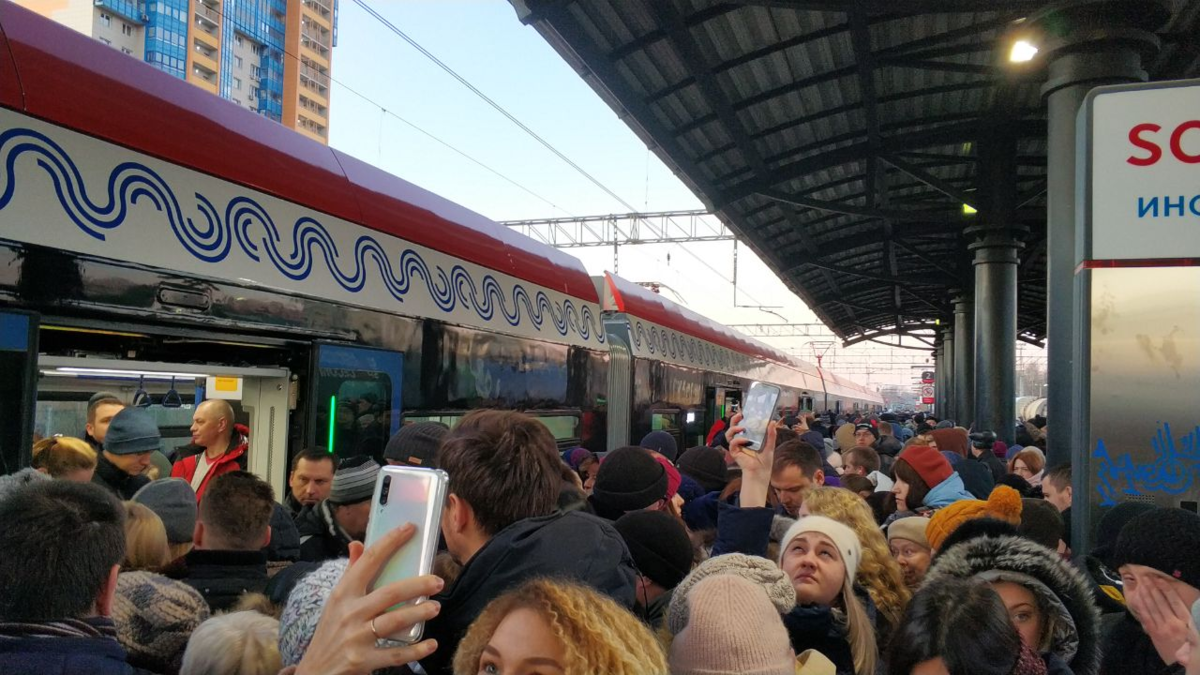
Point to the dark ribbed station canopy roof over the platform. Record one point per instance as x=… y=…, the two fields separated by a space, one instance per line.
x=842 y=139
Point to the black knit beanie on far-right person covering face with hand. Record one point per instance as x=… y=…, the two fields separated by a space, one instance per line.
x=1166 y=540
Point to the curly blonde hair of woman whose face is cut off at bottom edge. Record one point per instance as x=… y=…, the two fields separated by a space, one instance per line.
x=598 y=635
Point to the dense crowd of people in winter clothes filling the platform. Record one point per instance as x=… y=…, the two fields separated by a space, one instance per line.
x=844 y=546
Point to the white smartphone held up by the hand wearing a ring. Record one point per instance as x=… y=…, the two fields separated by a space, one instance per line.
x=409 y=494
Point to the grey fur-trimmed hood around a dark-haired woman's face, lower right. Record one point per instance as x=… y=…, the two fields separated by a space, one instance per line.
x=1061 y=589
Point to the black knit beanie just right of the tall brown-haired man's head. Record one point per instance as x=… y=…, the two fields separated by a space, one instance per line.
x=629 y=480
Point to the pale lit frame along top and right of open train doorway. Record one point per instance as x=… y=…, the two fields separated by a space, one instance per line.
x=265 y=396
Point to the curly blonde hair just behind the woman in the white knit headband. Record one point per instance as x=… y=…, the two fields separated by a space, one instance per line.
x=878 y=572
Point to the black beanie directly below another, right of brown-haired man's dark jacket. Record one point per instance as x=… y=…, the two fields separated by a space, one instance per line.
x=659 y=546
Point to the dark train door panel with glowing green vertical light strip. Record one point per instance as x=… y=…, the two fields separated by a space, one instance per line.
x=357 y=396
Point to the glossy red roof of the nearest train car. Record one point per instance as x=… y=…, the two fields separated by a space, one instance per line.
x=58 y=75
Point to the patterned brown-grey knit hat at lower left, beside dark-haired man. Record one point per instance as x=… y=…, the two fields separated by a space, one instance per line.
x=155 y=618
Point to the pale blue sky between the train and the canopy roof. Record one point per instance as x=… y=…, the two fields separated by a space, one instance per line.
x=395 y=109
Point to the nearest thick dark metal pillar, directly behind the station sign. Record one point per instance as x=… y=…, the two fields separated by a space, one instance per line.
x=1095 y=44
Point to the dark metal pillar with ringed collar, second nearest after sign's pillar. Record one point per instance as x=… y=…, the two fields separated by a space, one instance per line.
x=995 y=244
